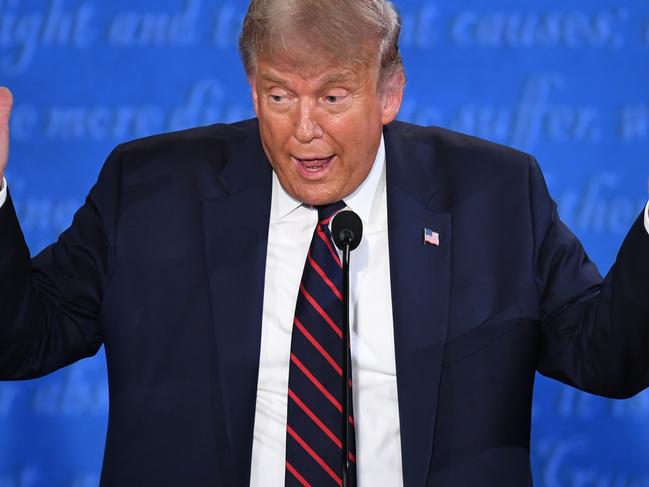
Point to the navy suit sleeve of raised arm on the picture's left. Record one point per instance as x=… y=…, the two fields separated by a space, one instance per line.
x=50 y=306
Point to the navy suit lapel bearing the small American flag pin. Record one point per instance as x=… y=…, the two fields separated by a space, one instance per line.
x=420 y=293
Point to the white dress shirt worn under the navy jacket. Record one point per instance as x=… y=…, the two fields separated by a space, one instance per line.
x=376 y=411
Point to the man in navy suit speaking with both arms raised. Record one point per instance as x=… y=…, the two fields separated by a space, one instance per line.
x=188 y=259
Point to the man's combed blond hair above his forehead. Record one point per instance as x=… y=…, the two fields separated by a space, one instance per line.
x=350 y=30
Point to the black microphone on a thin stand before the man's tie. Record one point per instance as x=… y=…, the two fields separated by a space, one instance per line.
x=347 y=232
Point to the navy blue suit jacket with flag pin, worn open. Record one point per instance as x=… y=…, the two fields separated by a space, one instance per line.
x=164 y=265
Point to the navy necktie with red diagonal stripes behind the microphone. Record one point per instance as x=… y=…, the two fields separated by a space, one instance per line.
x=314 y=454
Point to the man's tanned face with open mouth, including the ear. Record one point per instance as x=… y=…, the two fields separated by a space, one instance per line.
x=321 y=124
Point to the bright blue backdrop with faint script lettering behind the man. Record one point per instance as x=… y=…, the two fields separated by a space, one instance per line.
x=566 y=81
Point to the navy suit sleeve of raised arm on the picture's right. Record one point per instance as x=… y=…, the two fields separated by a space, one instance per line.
x=595 y=333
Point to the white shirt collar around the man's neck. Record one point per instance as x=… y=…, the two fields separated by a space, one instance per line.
x=360 y=201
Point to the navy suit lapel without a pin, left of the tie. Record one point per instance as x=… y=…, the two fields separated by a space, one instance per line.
x=236 y=223
